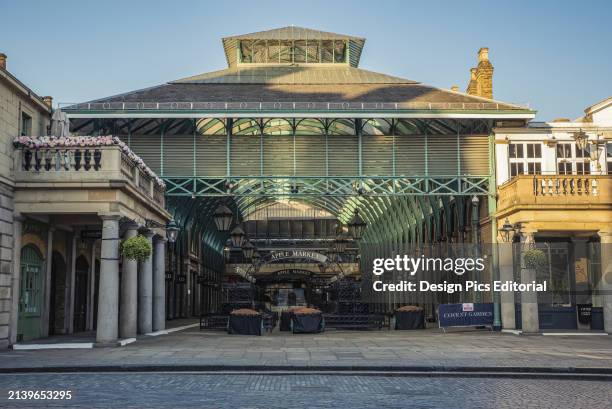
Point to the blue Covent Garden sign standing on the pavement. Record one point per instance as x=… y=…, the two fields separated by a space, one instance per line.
x=465 y=315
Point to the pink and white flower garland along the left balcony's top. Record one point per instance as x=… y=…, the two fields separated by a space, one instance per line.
x=43 y=142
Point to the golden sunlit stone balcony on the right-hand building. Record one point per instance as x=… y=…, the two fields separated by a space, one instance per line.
x=555 y=192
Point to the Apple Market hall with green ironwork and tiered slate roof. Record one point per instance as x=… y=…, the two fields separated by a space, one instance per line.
x=296 y=141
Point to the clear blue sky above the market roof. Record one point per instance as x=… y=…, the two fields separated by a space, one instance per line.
x=555 y=55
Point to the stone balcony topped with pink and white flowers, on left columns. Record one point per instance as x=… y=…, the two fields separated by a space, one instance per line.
x=91 y=178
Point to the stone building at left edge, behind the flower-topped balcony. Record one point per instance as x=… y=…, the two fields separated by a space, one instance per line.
x=22 y=112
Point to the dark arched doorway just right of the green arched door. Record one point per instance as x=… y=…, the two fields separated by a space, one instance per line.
x=57 y=306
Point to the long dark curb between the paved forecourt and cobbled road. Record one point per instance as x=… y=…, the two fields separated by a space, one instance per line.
x=429 y=371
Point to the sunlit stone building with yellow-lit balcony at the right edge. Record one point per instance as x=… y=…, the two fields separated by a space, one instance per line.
x=555 y=190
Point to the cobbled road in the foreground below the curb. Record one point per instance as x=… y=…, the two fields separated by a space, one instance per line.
x=172 y=390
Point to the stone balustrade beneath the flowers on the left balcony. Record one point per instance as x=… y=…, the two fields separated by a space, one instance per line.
x=97 y=166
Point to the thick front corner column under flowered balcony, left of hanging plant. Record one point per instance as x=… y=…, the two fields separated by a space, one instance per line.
x=108 y=292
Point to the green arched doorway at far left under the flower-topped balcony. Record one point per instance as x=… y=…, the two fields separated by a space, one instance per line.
x=31 y=294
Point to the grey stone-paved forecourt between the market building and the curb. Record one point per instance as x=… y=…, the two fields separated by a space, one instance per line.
x=422 y=350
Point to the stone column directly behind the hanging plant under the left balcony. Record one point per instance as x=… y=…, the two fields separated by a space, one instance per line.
x=129 y=292
